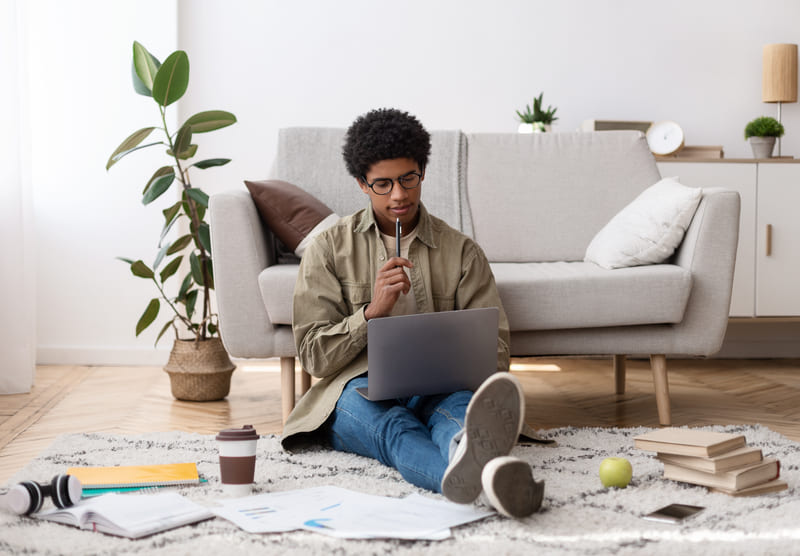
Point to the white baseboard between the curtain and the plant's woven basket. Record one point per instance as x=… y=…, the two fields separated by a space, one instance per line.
x=95 y=356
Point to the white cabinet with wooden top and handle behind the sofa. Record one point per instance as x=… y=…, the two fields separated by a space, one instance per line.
x=766 y=280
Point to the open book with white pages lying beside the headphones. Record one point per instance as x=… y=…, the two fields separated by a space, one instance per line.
x=130 y=515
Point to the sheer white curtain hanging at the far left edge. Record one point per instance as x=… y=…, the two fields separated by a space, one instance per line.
x=17 y=265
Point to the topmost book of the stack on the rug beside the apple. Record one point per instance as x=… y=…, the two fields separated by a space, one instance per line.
x=689 y=442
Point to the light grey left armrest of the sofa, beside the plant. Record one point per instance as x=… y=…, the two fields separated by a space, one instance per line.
x=241 y=247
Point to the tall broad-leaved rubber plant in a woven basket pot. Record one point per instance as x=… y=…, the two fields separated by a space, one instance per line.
x=199 y=366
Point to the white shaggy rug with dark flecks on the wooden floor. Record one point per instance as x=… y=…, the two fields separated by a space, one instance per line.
x=578 y=515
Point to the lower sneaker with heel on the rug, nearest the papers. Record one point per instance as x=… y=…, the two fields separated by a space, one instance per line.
x=509 y=485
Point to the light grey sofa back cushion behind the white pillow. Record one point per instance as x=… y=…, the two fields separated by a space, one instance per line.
x=542 y=197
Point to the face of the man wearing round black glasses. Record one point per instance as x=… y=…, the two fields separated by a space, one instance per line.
x=400 y=202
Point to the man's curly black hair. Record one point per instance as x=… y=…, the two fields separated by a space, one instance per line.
x=384 y=134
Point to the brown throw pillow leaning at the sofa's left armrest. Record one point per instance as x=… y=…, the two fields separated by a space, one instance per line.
x=290 y=212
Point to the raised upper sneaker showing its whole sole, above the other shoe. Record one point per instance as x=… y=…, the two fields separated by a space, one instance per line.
x=492 y=425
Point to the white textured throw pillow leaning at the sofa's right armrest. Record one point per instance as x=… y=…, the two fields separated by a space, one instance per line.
x=649 y=229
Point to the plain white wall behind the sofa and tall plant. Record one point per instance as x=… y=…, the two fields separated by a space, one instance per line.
x=464 y=64
